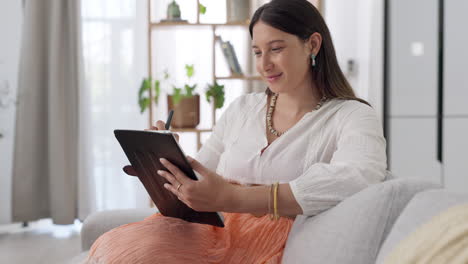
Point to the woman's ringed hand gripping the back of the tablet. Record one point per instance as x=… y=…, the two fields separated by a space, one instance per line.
x=212 y=193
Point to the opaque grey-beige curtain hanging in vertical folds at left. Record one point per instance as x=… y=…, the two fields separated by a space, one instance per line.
x=45 y=157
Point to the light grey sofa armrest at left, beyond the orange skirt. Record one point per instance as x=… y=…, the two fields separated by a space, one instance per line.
x=100 y=222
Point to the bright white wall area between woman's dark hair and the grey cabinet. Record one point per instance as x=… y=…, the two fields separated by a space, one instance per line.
x=357 y=32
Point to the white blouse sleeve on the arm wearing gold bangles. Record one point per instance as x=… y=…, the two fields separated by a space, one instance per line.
x=358 y=161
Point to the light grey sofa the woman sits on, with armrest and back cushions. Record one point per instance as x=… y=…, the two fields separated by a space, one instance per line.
x=362 y=229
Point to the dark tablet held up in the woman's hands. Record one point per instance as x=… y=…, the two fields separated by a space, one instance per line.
x=144 y=149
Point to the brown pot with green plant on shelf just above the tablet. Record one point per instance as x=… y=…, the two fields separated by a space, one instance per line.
x=185 y=103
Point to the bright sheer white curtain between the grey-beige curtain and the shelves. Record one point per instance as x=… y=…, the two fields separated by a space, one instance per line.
x=114 y=42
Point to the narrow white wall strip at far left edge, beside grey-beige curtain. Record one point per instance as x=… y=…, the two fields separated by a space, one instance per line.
x=10 y=32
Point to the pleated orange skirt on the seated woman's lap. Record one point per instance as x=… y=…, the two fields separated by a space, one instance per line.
x=159 y=239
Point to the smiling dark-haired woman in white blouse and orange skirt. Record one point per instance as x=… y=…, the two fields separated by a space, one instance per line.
x=300 y=148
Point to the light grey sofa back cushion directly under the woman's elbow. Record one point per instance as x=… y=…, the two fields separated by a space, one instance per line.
x=353 y=231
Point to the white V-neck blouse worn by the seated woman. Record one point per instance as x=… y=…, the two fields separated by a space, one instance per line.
x=327 y=156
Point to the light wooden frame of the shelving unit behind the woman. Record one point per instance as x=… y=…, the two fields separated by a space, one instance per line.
x=156 y=25
